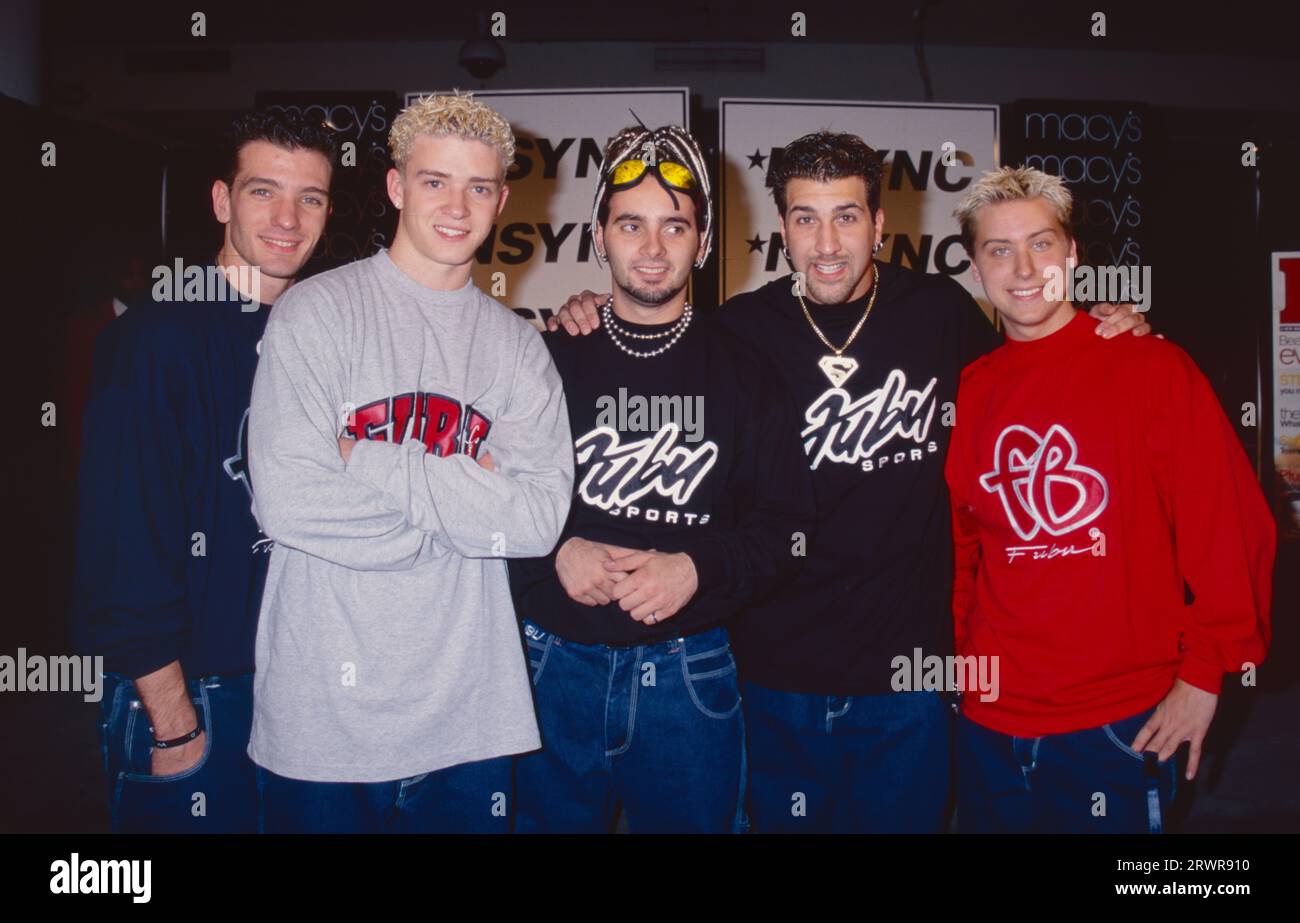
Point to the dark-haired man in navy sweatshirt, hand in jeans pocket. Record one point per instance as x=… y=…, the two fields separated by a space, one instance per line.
x=171 y=562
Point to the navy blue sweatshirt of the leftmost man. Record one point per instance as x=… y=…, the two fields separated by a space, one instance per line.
x=163 y=460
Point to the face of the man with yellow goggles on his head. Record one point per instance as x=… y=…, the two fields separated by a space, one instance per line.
x=651 y=244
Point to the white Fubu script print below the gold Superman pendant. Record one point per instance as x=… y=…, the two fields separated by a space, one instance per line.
x=843 y=430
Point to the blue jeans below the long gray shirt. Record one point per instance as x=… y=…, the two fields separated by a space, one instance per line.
x=467 y=799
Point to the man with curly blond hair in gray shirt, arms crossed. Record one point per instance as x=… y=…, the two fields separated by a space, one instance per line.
x=408 y=436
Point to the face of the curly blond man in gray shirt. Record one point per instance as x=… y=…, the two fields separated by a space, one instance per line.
x=449 y=193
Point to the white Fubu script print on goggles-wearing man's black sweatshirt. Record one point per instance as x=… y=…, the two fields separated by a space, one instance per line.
x=622 y=473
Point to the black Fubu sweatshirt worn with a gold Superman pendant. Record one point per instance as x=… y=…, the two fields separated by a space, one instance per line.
x=878 y=578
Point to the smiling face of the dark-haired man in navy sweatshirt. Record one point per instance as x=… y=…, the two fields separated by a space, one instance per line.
x=275 y=211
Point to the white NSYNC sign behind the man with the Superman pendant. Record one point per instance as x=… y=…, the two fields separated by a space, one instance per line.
x=933 y=154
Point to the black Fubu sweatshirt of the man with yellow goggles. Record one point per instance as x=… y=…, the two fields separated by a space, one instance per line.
x=718 y=479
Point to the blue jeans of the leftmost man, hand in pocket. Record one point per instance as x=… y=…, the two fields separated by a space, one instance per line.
x=219 y=795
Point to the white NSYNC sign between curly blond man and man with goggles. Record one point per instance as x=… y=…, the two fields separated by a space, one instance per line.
x=541 y=245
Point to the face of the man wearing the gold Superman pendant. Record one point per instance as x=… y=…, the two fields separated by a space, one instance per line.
x=830 y=235
